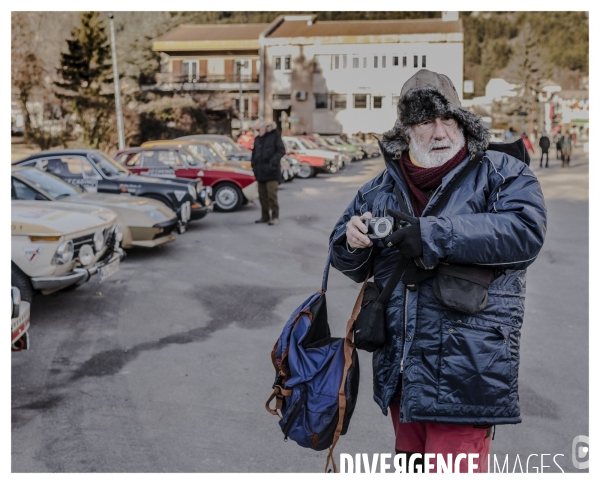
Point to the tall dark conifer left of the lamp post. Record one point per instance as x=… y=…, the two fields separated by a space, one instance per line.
x=85 y=75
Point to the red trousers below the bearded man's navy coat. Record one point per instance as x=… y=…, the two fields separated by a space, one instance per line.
x=444 y=439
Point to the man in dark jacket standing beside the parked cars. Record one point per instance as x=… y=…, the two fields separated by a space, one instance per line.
x=266 y=164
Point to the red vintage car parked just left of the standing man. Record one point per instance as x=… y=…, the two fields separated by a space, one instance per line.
x=231 y=187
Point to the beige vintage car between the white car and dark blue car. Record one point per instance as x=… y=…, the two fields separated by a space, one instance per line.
x=145 y=222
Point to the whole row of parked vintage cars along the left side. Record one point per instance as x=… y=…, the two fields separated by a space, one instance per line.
x=74 y=211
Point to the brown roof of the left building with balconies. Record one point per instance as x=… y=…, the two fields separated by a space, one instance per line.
x=210 y=36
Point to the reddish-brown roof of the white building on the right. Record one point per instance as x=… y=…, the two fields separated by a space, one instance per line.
x=302 y=28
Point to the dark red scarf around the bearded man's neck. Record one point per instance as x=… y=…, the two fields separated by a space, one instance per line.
x=419 y=178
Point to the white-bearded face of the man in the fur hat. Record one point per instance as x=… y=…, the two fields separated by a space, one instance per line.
x=435 y=141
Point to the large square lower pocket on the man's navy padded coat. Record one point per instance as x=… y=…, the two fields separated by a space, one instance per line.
x=475 y=366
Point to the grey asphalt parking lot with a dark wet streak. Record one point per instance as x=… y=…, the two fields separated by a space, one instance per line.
x=166 y=366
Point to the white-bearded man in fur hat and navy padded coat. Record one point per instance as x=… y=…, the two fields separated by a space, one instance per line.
x=446 y=376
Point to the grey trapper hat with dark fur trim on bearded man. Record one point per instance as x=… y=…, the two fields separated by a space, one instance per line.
x=428 y=95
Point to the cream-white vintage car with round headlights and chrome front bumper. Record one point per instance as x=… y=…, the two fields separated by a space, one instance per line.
x=55 y=245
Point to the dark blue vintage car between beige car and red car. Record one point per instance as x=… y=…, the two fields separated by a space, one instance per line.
x=93 y=171
